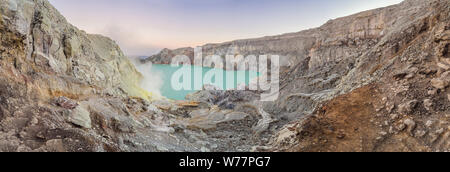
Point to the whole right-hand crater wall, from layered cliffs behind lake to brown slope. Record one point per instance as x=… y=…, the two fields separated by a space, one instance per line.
x=374 y=81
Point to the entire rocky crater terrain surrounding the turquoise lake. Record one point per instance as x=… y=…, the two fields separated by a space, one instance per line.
x=373 y=81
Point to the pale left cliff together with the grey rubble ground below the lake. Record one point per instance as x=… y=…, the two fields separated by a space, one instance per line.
x=62 y=89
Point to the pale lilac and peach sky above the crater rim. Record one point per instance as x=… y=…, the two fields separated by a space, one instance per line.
x=143 y=27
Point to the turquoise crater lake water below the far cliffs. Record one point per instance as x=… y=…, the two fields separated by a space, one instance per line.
x=198 y=77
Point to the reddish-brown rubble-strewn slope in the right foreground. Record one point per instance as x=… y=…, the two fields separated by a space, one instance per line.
x=396 y=96
